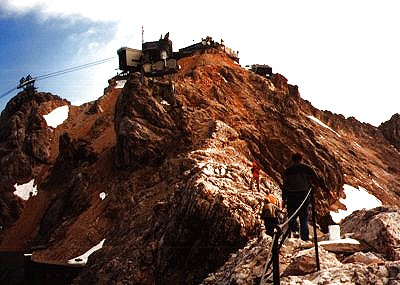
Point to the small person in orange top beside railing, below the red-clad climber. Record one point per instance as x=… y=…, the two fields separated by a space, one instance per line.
x=271 y=213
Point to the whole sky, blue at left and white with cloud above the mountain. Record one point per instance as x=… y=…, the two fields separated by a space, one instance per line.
x=343 y=55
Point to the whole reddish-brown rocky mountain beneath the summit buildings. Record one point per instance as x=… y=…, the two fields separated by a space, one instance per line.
x=160 y=169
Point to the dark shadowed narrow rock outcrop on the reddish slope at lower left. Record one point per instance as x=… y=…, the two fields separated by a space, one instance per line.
x=70 y=196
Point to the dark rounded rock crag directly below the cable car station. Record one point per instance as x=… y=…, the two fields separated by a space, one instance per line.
x=148 y=126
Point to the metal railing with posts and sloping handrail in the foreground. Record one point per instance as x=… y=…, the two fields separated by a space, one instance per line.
x=279 y=233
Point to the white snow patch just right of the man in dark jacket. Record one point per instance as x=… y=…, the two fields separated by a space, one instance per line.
x=356 y=199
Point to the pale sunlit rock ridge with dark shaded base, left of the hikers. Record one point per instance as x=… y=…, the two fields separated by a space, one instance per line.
x=212 y=214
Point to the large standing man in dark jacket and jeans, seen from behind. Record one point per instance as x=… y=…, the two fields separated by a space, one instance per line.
x=297 y=181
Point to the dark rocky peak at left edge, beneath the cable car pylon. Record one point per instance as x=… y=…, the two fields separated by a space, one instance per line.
x=25 y=142
